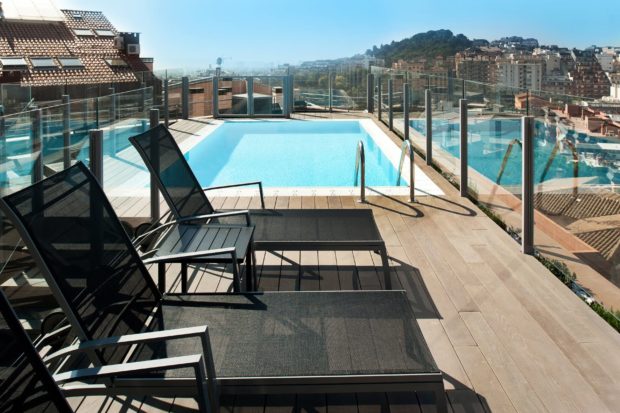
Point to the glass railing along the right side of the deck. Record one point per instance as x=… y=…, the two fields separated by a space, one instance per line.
x=576 y=158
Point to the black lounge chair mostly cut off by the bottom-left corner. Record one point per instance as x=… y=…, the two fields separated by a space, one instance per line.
x=26 y=384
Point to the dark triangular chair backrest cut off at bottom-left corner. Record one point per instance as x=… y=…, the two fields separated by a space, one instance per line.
x=25 y=383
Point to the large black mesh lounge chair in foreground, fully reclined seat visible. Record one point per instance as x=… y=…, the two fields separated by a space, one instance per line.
x=265 y=343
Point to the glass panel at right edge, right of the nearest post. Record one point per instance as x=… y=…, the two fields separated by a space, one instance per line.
x=577 y=180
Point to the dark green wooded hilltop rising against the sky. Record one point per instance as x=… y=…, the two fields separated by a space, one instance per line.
x=428 y=45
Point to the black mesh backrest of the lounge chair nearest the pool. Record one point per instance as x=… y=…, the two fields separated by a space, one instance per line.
x=176 y=180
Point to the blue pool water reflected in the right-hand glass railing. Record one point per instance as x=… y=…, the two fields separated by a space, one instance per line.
x=490 y=142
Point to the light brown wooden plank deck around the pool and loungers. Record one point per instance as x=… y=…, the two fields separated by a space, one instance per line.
x=508 y=336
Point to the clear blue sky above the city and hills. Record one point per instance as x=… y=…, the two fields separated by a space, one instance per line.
x=193 y=33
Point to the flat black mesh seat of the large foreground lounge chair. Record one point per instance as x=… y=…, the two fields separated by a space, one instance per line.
x=301 y=333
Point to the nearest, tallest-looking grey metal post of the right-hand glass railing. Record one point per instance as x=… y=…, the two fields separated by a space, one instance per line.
x=527 y=185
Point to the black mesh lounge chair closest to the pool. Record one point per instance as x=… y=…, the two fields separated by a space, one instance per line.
x=275 y=229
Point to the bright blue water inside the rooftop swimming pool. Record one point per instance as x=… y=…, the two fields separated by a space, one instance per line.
x=289 y=154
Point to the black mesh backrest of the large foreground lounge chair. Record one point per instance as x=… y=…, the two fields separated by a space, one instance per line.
x=83 y=245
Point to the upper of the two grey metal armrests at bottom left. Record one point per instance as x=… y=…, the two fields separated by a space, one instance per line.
x=140 y=338
